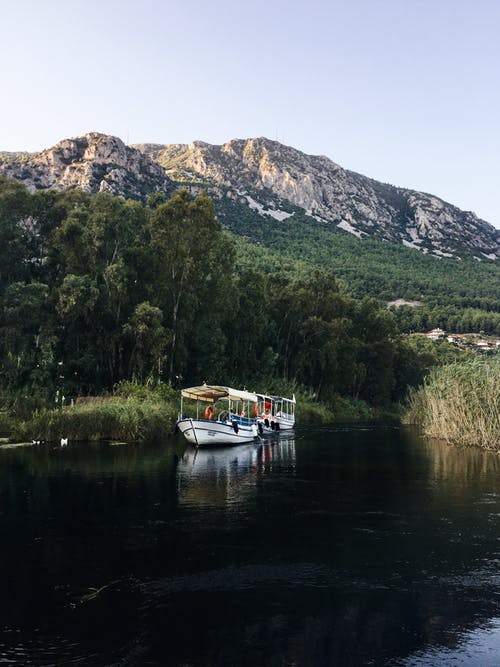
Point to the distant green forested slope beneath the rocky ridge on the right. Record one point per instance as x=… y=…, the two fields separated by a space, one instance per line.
x=461 y=295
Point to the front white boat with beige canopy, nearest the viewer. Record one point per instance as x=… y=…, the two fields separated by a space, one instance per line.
x=218 y=415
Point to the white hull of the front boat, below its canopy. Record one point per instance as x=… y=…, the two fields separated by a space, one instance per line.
x=202 y=432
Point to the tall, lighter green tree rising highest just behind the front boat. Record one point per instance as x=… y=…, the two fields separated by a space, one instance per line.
x=192 y=262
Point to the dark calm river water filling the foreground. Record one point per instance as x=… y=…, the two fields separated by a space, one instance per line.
x=333 y=546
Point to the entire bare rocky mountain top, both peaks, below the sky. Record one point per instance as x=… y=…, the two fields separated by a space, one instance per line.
x=268 y=181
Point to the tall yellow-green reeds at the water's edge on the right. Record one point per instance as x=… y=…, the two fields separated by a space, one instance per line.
x=460 y=403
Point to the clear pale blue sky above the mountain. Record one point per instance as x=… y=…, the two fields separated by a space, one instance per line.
x=404 y=91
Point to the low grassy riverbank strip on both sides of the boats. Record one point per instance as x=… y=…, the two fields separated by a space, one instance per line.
x=137 y=413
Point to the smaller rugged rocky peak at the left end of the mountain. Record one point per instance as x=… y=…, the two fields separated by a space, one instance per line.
x=93 y=163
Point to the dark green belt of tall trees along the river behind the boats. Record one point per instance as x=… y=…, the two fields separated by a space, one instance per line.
x=96 y=289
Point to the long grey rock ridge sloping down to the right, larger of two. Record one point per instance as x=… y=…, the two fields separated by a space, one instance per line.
x=269 y=176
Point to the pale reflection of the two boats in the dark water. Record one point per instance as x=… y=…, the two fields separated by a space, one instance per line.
x=227 y=475
